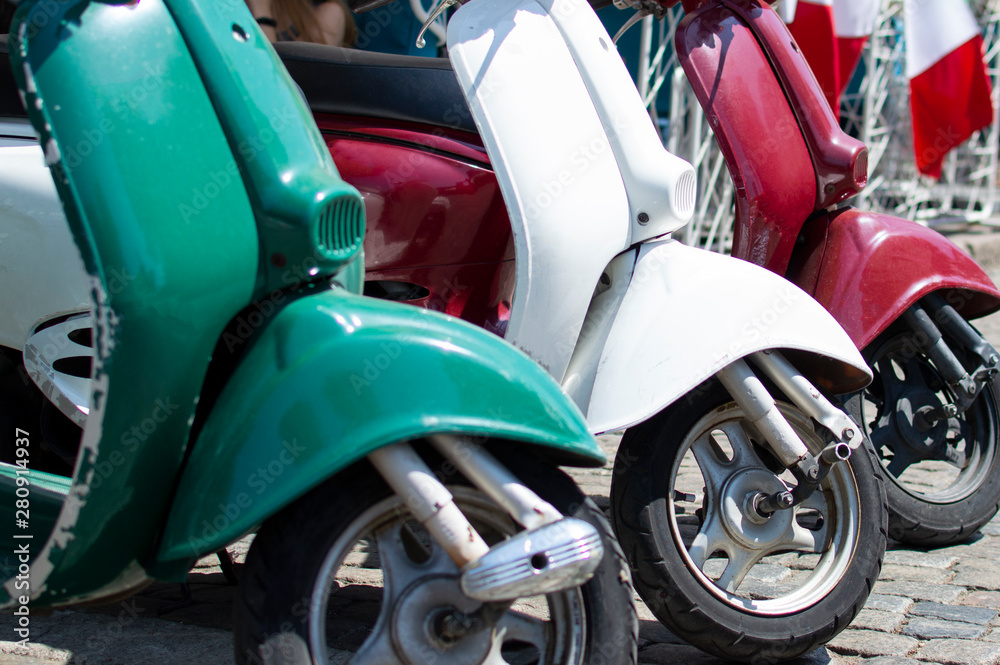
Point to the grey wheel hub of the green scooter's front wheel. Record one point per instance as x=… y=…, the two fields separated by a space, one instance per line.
x=423 y=622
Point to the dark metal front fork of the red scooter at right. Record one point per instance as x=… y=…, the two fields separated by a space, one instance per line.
x=921 y=318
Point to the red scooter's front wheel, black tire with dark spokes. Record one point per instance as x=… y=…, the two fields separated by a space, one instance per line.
x=962 y=499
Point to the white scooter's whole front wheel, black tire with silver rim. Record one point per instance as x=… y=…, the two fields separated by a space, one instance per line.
x=650 y=493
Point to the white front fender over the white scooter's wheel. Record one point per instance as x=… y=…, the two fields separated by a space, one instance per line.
x=687 y=313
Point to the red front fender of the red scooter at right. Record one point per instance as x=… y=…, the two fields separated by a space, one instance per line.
x=867 y=269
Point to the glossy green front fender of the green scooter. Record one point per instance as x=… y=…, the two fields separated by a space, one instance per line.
x=335 y=376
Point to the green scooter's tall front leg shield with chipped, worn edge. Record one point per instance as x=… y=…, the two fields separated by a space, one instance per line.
x=130 y=133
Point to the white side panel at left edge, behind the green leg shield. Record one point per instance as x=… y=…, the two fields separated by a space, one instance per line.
x=41 y=272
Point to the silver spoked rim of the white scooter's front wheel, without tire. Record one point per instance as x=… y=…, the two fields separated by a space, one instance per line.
x=767 y=566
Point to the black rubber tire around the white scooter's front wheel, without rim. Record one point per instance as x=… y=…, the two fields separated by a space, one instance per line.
x=664 y=583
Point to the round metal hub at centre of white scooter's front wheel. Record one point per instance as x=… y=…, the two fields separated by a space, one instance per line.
x=741 y=519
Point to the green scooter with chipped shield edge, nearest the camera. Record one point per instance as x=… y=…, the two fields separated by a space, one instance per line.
x=241 y=383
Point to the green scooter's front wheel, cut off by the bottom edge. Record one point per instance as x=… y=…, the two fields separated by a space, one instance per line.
x=347 y=575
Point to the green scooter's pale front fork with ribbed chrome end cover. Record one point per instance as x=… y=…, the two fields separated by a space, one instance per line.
x=554 y=553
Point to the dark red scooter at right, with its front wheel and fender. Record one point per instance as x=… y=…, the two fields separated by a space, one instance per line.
x=904 y=293
